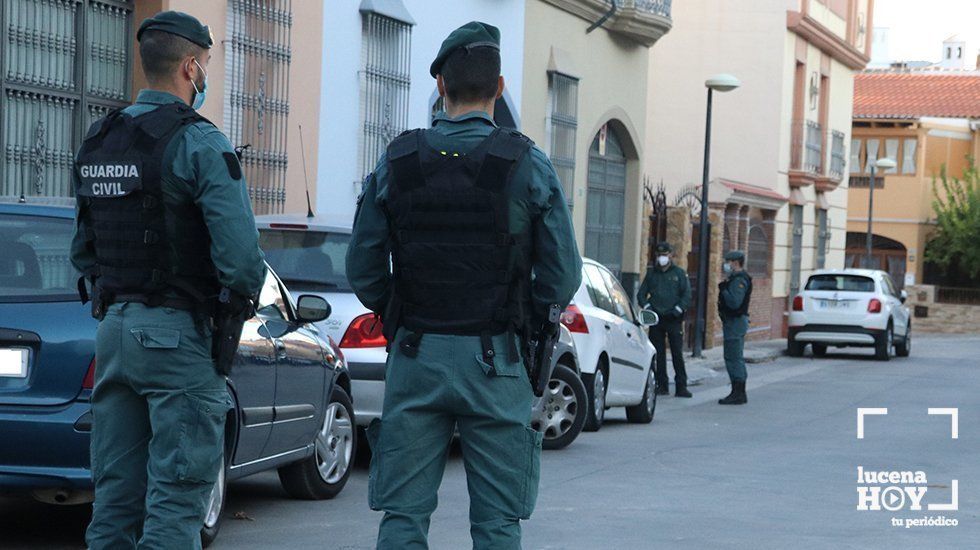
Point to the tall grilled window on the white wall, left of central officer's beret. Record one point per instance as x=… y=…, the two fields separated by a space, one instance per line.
x=385 y=81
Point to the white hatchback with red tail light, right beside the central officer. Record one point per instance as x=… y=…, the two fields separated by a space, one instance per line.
x=615 y=354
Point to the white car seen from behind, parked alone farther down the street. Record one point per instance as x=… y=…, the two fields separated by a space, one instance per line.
x=850 y=307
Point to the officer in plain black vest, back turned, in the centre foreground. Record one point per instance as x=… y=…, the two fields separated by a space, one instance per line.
x=468 y=210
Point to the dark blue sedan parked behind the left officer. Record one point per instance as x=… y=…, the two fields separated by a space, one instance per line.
x=290 y=384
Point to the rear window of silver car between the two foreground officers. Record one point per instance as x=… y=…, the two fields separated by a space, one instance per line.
x=308 y=260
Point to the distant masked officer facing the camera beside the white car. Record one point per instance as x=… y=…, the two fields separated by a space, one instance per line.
x=667 y=291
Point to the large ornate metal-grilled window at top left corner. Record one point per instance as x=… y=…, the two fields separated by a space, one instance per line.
x=65 y=64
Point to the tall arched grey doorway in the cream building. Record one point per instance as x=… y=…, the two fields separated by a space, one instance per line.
x=606 y=200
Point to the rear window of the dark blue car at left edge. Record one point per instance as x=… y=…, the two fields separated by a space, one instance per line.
x=34 y=264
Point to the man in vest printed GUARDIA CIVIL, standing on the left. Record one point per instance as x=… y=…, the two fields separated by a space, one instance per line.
x=163 y=223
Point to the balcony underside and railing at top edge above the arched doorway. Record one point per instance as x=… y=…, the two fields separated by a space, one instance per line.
x=643 y=21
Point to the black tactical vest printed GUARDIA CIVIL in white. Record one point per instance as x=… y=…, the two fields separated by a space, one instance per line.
x=147 y=247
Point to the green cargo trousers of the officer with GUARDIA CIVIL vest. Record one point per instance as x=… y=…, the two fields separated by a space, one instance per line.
x=159 y=412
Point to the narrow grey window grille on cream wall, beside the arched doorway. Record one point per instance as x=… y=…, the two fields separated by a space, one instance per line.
x=563 y=120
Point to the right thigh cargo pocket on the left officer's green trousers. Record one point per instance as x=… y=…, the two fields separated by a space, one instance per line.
x=201 y=446
